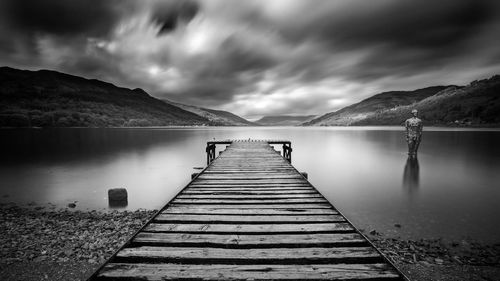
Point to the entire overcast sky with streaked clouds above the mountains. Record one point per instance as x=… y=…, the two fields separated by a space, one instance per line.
x=257 y=57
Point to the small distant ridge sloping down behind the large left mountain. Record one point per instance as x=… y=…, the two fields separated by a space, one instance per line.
x=219 y=117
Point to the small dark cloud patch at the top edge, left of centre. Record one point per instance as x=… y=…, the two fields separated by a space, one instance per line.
x=168 y=14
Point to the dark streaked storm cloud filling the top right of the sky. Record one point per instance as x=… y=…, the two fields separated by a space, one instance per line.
x=402 y=23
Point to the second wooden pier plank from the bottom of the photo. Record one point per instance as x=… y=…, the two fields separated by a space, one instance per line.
x=251 y=256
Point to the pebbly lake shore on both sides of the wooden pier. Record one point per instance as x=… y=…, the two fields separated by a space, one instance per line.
x=40 y=243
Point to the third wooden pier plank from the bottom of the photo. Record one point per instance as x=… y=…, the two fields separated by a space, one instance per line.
x=250 y=241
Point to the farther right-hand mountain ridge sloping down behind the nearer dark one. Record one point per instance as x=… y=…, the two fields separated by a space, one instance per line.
x=352 y=114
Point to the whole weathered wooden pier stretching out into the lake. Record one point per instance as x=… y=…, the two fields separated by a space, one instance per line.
x=250 y=215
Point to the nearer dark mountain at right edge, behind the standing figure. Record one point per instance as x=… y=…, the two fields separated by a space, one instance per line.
x=477 y=104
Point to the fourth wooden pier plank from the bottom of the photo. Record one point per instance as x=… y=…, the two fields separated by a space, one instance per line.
x=251 y=228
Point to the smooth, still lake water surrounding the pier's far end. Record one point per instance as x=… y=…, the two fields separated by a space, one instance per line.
x=453 y=191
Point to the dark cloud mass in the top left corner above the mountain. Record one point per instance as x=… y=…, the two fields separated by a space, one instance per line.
x=67 y=24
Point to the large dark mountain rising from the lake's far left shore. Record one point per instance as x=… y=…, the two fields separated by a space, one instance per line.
x=51 y=99
